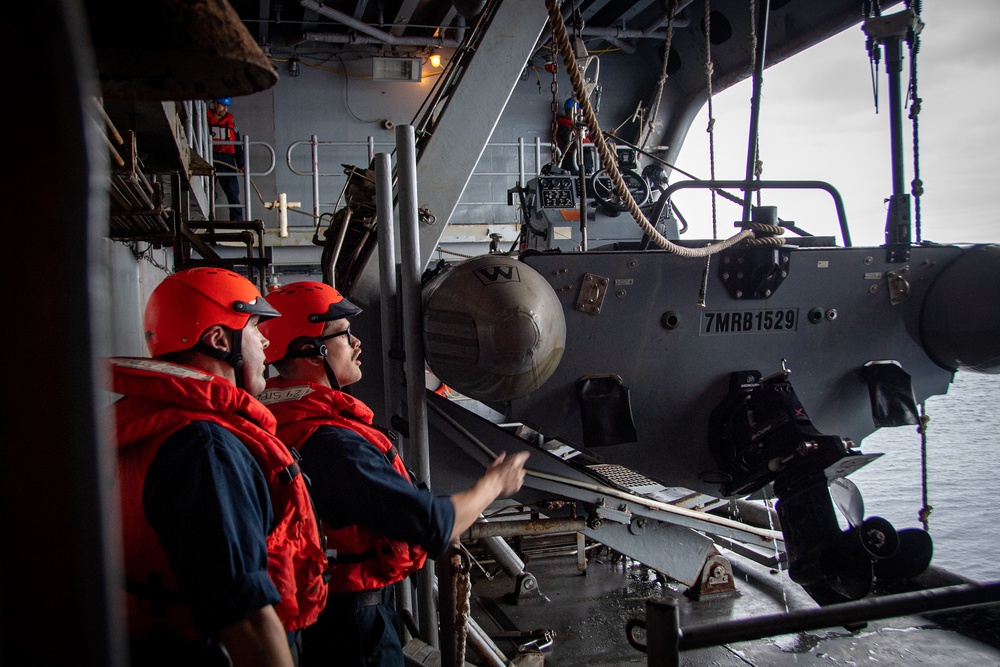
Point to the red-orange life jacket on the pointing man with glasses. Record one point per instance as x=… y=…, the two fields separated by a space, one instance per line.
x=364 y=559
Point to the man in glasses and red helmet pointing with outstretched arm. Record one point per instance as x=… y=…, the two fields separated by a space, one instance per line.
x=379 y=526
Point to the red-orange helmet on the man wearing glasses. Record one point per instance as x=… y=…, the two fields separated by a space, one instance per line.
x=305 y=309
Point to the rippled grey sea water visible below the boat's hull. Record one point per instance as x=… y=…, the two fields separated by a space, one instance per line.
x=963 y=462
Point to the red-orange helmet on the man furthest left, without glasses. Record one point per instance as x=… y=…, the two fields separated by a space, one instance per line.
x=188 y=302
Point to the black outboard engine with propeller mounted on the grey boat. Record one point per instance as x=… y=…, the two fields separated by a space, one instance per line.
x=762 y=435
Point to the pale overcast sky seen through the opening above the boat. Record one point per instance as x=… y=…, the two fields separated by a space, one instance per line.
x=818 y=122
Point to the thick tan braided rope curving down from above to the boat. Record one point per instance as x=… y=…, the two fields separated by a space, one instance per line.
x=609 y=159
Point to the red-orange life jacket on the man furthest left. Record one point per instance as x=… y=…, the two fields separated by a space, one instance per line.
x=161 y=398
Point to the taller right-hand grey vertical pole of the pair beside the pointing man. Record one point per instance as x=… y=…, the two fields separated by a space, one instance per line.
x=412 y=266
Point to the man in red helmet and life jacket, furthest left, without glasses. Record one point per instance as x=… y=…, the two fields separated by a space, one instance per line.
x=223 y=553
